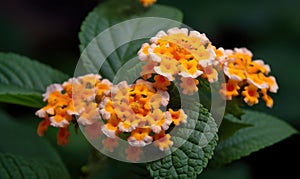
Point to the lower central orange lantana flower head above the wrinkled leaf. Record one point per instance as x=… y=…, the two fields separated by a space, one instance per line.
x=137 y=109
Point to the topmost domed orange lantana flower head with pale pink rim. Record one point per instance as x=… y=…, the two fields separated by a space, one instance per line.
x=179 y=53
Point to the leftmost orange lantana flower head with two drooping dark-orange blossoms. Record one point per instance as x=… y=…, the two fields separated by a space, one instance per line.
x=64 y=108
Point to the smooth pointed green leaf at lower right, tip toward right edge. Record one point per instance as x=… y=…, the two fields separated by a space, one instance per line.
x=265 y=130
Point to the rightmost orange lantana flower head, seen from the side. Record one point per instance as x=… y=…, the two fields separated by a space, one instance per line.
x=245 y=77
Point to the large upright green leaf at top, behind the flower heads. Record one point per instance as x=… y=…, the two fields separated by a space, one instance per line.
x=115 y=45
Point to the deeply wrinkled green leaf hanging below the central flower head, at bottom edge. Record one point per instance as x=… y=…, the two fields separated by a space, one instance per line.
x=189 y=159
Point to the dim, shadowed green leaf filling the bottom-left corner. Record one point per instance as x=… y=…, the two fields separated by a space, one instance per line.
x=25 y=155
